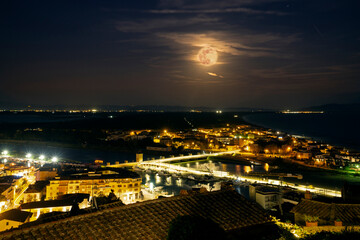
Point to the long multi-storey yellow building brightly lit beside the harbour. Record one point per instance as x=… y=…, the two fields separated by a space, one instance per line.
x=125 y=184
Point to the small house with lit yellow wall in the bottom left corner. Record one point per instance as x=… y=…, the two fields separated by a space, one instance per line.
x=13 y=219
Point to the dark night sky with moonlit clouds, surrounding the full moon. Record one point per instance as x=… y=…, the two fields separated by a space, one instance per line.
x=272 y=54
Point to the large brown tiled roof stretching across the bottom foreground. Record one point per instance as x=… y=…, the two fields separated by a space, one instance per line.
x=151 y=219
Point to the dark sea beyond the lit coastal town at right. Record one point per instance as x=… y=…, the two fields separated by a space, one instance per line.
x=336 y=128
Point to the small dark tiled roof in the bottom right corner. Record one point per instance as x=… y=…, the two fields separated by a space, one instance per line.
x=347 y=213
